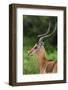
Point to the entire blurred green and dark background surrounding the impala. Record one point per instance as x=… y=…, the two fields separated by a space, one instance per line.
x=33 y=26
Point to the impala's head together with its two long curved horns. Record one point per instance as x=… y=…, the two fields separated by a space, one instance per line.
x=39 y=46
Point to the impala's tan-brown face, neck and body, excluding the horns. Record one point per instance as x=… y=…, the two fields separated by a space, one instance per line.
x=45 y=65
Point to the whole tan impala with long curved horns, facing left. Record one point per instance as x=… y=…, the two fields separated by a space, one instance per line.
x=45 y=65
